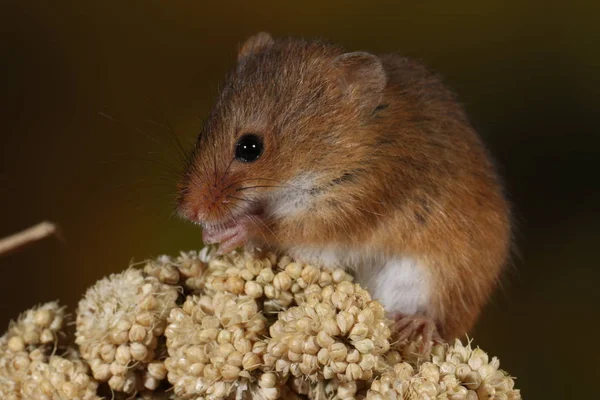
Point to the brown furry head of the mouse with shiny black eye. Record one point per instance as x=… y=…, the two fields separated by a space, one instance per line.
x=288 y=124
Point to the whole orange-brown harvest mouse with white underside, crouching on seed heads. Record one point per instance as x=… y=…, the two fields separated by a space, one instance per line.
x=357 y=160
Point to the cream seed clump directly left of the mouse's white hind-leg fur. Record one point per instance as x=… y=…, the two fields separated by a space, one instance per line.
x=339 y=333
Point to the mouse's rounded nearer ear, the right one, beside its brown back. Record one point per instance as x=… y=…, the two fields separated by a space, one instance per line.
x=362 y=78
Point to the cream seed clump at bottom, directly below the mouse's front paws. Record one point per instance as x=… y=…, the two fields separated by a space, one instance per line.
x=215 y=345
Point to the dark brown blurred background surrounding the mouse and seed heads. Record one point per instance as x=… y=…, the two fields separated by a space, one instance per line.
x=95 y=96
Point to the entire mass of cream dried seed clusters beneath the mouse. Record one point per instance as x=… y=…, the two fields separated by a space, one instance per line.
x=246 y=325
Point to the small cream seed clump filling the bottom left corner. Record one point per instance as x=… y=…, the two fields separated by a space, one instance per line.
x=28 y=367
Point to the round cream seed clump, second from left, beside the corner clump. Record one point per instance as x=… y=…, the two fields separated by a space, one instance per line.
x=120 y=325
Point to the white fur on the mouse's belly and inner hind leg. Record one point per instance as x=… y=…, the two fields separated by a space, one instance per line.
x=401 y=284
